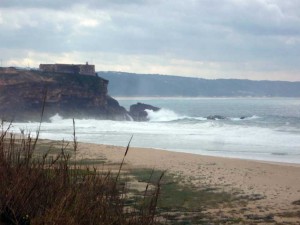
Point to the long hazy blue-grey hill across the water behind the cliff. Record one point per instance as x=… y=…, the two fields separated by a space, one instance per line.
x=129 y=84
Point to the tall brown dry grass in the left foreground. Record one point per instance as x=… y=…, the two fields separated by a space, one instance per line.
x=48 y=189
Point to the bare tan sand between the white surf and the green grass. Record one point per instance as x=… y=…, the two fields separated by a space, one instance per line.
x=272 y=187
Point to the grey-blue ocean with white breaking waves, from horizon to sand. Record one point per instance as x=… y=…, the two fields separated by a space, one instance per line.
x=266 y=129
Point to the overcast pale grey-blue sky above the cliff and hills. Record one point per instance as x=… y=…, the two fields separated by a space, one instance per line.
x=243 y=39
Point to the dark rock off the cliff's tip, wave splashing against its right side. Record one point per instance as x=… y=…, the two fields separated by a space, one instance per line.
x=138 y=113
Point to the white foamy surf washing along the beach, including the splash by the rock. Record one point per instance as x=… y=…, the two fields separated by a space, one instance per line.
x=204 y=137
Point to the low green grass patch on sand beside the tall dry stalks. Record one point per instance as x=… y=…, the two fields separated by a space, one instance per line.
x=178 y=197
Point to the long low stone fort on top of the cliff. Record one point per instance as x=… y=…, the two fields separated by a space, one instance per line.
x=82 y=69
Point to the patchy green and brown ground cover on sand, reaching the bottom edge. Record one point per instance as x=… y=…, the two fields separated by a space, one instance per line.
x=185 y=204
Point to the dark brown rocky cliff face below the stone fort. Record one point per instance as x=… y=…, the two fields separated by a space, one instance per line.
x=22 y=94
